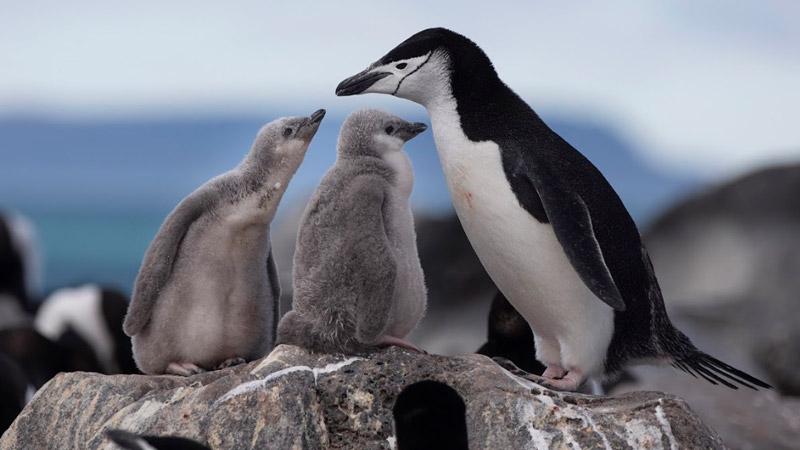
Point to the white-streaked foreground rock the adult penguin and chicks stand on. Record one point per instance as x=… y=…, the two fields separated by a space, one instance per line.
x=293 y=399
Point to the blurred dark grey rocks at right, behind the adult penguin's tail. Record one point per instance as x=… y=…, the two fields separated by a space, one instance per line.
x=728 y=261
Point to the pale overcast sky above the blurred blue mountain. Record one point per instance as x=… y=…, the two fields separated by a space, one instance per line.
x=710 y=85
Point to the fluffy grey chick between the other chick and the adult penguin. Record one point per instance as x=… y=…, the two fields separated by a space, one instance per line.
x=357 y=279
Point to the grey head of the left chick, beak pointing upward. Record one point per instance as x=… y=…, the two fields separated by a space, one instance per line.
x=287 y=136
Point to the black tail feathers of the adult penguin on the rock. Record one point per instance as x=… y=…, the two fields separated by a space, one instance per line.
x=715 y=371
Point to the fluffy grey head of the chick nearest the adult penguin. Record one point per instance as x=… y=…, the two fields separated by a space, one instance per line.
x=371 y=132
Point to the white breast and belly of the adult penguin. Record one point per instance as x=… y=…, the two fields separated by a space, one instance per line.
x=522 y=255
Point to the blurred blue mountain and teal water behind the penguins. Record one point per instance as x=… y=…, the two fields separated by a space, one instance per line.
x=98 y=190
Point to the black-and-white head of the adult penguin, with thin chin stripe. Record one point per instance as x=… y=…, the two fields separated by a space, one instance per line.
x=426 y=67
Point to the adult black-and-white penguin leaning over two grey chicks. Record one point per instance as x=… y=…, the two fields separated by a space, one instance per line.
x=547 y=226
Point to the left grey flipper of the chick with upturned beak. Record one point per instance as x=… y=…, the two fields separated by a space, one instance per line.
x=160 y=257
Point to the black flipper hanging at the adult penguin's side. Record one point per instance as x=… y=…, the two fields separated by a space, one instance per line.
x=572 y=224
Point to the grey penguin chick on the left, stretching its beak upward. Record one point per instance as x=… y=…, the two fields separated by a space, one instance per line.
x=207 y=292
